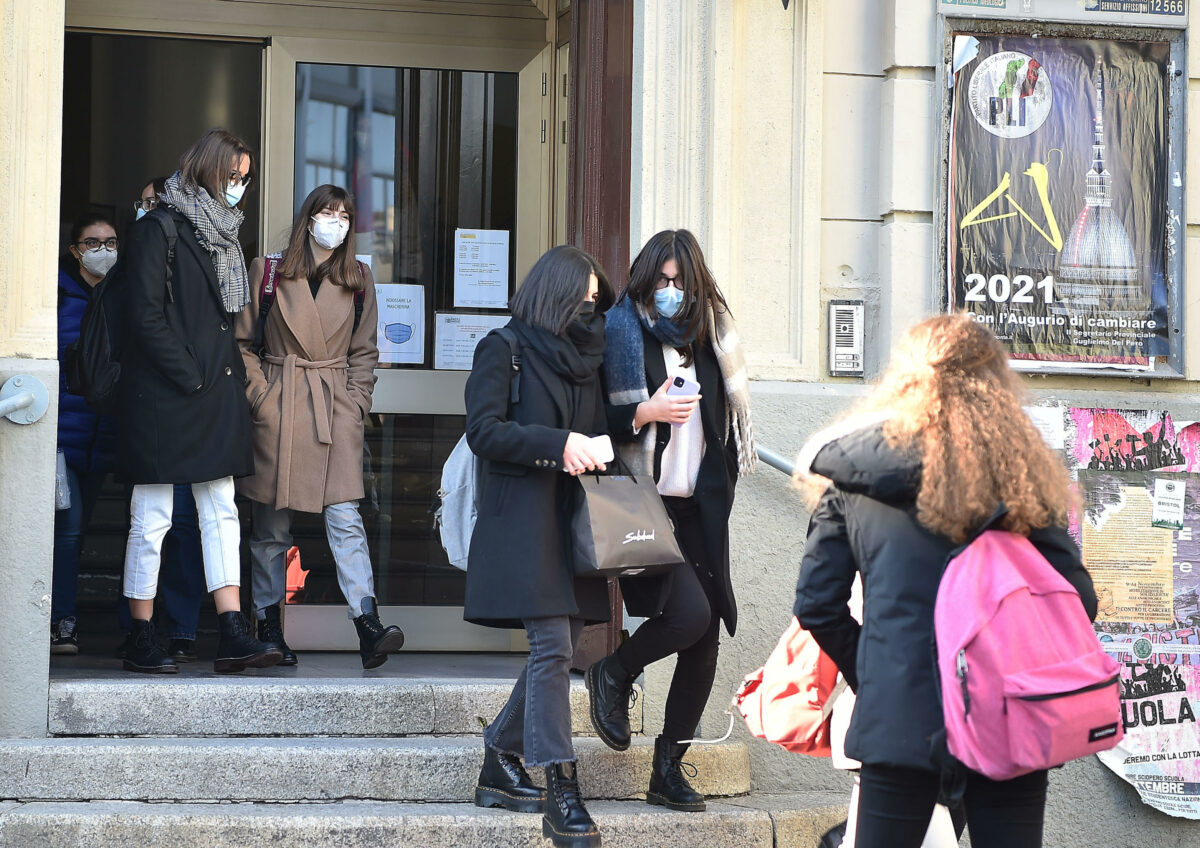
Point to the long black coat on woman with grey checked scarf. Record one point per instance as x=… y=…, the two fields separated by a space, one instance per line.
x=183 y=416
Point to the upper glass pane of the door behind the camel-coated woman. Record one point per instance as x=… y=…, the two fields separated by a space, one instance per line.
x=424 y=152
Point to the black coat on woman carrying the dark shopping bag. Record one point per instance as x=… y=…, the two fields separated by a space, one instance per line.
x=520 y=561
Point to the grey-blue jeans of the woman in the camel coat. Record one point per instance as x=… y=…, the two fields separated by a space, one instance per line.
x=272 y=538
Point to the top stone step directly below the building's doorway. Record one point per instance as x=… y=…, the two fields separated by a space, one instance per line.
x=140 y=706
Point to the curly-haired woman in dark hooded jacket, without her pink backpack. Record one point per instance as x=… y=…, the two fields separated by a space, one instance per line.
x=940 y=452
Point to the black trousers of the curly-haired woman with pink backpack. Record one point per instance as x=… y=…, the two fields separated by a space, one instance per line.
x=895 y=807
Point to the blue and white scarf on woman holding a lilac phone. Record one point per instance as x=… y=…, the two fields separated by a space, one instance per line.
x=625 y=369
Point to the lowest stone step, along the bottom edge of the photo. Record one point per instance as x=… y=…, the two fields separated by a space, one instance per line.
x=793 y=821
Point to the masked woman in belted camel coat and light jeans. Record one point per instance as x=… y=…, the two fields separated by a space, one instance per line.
x=310 y=392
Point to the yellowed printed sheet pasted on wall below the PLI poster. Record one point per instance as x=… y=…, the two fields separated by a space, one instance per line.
x=1129 y=558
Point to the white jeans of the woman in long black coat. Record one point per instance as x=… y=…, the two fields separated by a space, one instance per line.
x=151 y=520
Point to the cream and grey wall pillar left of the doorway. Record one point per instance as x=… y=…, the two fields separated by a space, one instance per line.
x=31 y=140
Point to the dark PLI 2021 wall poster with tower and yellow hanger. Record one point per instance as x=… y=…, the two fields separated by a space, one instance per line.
x=1061 y=226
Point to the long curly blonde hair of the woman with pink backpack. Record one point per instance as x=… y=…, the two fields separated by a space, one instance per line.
x=953 y=401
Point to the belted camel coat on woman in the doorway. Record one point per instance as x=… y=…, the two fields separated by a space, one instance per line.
x=309 y=393
